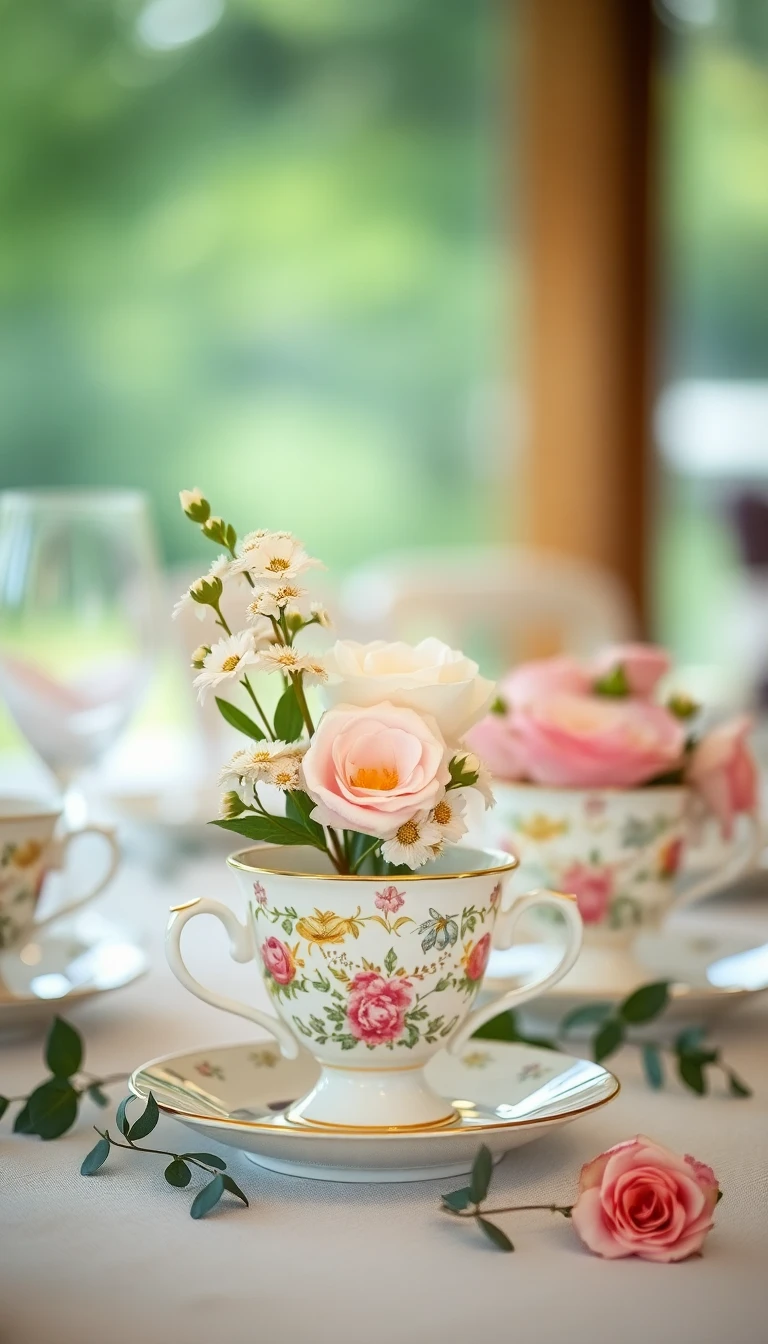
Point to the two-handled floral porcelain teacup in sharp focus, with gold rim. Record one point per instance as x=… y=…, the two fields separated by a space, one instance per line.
x=372 y=975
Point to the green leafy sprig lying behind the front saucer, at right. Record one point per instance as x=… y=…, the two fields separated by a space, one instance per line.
x=689 y=1053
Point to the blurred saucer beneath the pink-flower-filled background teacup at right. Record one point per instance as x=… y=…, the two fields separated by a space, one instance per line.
x=708 y=972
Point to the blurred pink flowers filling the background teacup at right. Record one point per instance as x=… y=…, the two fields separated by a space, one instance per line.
x=597 y=725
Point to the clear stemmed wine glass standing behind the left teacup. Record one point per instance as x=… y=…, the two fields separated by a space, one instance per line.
x=79 y=588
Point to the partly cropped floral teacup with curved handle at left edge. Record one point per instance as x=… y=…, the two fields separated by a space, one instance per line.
x=29 y=851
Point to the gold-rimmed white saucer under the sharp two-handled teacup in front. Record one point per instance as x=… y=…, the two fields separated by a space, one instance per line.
x=506 y=1095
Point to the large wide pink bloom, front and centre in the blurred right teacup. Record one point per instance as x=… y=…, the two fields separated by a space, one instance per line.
x=592 y=743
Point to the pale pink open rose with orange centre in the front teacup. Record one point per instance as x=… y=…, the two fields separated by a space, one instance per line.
x=372 y=769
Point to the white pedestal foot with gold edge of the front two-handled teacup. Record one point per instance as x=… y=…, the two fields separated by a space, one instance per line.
x=373 y=1100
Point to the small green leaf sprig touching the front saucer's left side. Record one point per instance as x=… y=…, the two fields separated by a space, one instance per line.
x=178 y=1173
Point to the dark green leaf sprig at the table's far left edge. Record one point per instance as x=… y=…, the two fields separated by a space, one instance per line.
x=52 y=1108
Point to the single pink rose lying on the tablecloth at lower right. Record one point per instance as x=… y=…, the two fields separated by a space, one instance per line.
x=642 y=1200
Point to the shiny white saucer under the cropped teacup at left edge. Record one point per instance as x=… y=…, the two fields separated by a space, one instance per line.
x=65 y=964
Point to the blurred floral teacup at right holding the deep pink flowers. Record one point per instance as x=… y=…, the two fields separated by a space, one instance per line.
x=619 y=851
